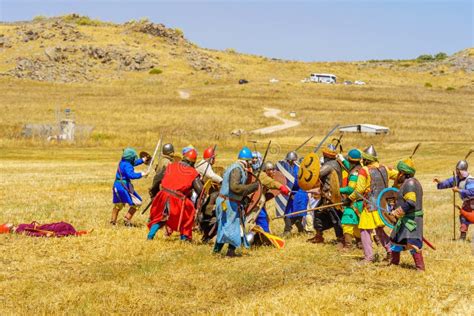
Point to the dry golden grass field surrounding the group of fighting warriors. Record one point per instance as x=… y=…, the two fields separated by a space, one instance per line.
x=115 y=270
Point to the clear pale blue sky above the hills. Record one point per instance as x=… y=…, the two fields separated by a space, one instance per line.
x=299 y=30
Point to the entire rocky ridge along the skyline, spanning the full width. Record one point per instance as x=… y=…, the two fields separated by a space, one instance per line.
x=74 y=48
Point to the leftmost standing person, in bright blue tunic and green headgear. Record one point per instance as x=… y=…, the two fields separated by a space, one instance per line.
x=123 y=191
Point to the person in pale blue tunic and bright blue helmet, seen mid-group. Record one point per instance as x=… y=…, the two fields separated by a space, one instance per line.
x=229 y=209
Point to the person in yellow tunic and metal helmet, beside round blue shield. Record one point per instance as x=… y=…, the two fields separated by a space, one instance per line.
x=371 y=180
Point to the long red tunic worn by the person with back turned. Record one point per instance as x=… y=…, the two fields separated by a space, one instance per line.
x=178 y=179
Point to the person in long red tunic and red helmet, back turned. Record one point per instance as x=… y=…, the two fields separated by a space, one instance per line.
x=172 y=206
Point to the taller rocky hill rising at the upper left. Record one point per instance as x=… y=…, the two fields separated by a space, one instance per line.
x=61 y=49
